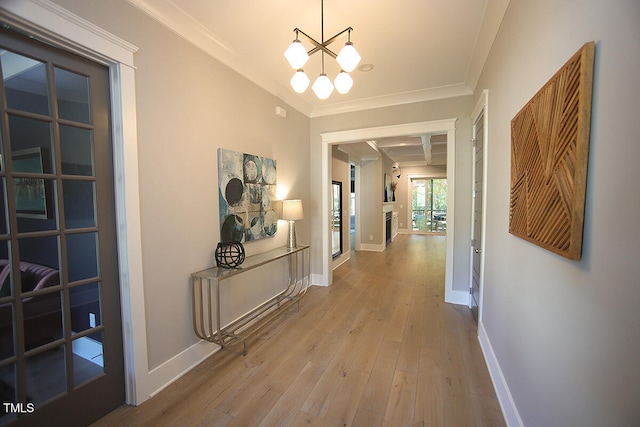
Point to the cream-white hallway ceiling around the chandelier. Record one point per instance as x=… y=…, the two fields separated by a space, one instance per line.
x=420 y=49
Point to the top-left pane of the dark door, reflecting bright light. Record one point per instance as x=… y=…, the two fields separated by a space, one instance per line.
x=25 y=81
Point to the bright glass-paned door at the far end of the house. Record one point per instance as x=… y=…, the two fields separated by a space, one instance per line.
x=429 y=204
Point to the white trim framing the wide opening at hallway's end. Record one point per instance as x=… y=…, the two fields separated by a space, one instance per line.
x=409 y=129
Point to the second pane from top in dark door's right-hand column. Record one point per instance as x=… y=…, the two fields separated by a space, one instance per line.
x=76 y=145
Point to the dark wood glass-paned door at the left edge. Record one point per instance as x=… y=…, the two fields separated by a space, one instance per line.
x=60 y=324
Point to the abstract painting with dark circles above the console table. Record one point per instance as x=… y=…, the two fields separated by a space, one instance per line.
x=247 y=194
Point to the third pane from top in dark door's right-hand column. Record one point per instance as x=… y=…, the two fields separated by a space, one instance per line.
x=79 y=203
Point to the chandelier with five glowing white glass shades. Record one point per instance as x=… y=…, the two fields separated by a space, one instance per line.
x=348 y=59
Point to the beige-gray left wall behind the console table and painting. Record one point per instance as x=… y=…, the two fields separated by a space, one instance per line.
x=189 y=105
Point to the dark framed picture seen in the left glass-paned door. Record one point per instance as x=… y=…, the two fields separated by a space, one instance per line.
x=32 y=199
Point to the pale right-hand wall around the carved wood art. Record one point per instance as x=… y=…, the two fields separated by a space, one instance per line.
x=565 y=334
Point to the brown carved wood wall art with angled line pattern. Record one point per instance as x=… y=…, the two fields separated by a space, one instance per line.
x=549 y=155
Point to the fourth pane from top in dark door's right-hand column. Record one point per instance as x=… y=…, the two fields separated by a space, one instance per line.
x=82 y=256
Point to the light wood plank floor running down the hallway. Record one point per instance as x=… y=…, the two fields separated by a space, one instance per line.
x=377 y=348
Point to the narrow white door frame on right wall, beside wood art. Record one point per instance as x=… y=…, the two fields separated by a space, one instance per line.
x=482 y=107
